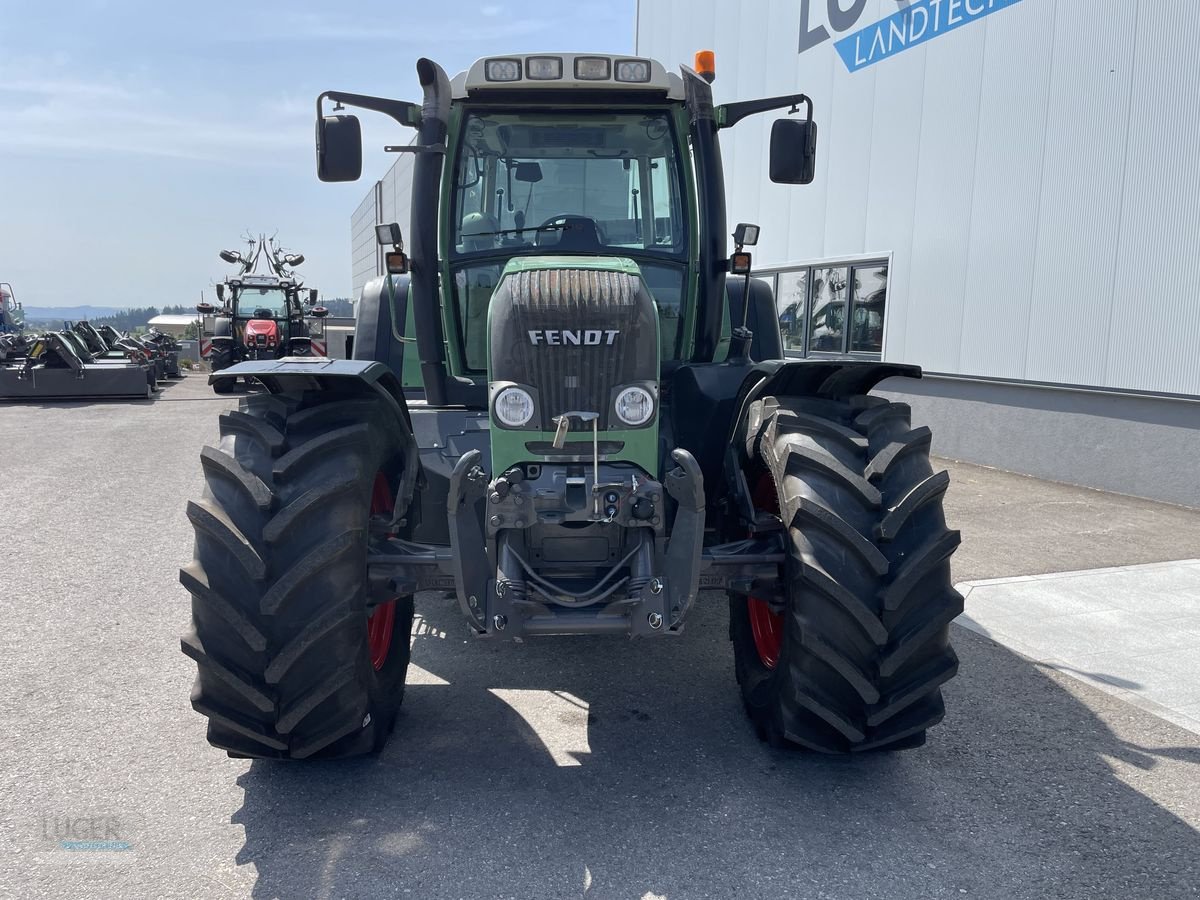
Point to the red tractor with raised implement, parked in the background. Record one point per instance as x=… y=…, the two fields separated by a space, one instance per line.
x=262 y=314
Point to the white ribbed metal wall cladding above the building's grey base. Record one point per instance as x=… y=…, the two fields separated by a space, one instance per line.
x=1034 y=176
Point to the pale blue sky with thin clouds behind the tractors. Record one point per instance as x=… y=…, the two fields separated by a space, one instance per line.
x=140 y=139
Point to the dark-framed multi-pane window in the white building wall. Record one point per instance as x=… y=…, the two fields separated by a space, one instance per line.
x=833 y=308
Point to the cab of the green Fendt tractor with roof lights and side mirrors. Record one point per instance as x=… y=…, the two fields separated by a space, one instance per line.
x=579 y=157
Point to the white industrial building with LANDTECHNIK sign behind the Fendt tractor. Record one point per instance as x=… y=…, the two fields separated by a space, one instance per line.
x=1007 y=195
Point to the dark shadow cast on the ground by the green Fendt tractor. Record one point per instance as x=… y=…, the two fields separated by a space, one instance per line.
x=614 y=769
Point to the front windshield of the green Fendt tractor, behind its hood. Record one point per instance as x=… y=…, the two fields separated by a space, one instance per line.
x=599 y=184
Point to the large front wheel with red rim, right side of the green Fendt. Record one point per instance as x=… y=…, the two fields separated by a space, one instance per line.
x=849 y=650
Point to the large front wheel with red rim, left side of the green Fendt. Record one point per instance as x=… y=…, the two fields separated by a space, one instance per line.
x=292 y=662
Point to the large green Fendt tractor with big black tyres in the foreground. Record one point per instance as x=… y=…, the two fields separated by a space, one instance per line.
x=598 y=427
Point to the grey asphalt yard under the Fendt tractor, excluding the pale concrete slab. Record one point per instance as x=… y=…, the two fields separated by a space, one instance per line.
x=557 y=769
